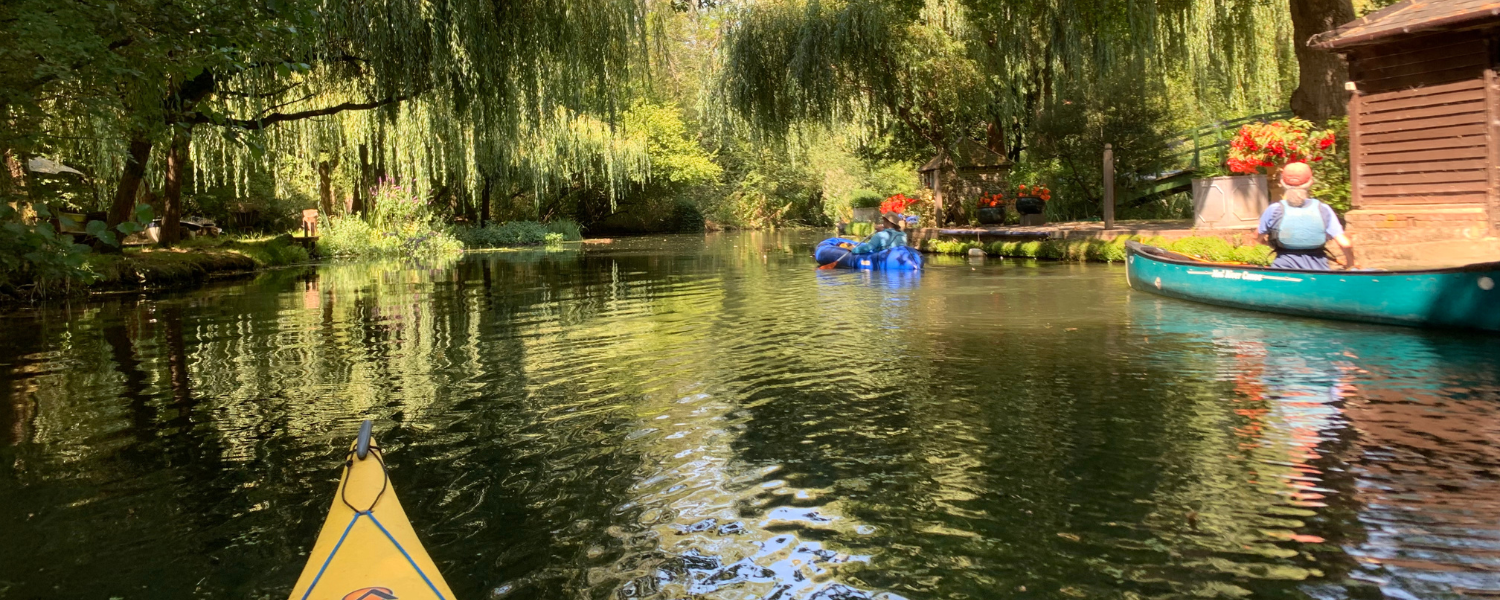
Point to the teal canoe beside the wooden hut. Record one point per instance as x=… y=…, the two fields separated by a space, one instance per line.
x=1460 y=298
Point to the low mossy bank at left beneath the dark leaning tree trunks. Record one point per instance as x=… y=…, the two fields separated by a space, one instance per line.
x=193 y=262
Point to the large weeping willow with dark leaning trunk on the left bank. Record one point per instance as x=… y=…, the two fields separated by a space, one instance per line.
x=404 y=88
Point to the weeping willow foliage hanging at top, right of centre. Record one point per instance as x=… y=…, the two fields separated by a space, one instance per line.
x=944 y=70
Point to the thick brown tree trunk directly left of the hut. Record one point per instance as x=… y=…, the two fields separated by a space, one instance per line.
x=1321 y=74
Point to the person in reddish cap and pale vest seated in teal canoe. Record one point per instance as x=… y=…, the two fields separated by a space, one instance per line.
x=1298 y=227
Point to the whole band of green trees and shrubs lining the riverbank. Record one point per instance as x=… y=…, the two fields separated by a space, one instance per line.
x=617 y=116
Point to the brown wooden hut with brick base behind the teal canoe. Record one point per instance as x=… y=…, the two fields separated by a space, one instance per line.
x=1424 y=121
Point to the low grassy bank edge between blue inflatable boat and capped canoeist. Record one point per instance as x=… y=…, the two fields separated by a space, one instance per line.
x=1108 y=251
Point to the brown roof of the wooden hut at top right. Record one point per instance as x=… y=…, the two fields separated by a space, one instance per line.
x=1409 y=17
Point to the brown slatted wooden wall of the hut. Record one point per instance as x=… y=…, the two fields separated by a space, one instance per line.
x=1421 y=124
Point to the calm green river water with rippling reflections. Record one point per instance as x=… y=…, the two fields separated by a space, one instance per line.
x=712 y=418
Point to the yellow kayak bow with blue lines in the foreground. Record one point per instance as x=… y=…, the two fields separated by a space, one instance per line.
x=368 y=550
